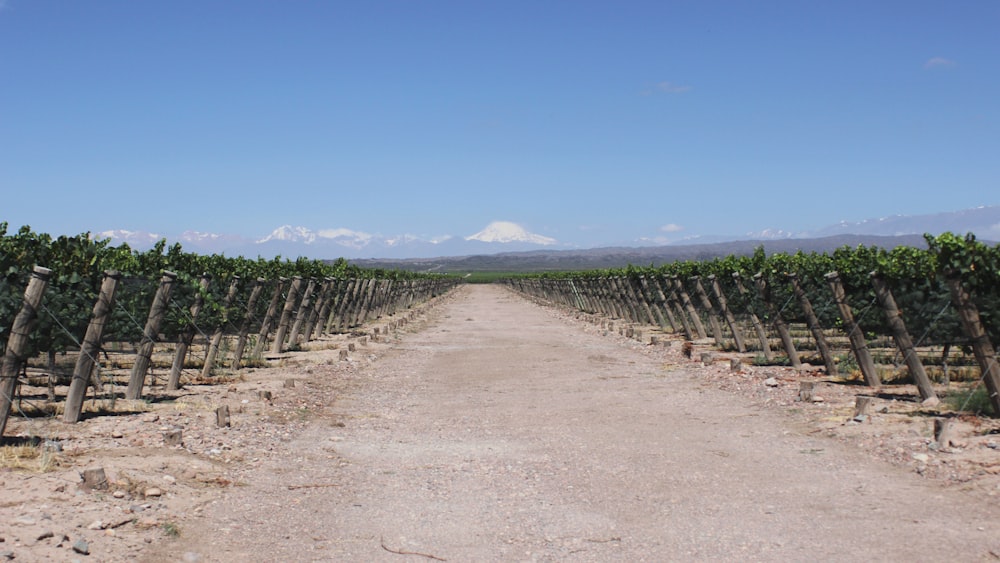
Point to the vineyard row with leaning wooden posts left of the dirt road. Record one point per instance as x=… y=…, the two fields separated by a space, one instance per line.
x=79 y=308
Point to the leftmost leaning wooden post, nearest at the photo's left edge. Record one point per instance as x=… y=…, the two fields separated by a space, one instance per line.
x=16 y=352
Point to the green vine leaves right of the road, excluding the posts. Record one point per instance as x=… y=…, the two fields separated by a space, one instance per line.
x=916 y=277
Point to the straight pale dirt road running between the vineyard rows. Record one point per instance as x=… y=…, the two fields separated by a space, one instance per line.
x=503 y=431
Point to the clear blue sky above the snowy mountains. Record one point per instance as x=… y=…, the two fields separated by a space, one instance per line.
x=591 y=122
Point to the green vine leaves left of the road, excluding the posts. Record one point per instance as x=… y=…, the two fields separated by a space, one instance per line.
x=78 y=265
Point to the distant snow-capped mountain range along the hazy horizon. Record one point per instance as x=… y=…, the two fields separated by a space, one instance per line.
x=503 y=237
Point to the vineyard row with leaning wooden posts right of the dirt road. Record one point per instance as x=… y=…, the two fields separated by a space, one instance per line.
x=948 y=295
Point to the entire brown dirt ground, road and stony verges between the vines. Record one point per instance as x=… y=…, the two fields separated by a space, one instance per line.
x=491 y=428
